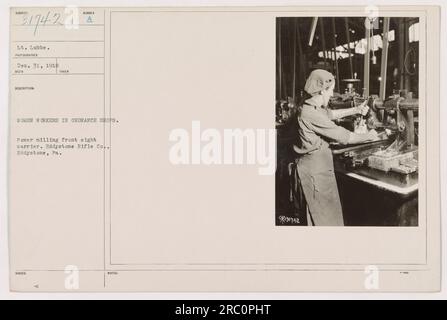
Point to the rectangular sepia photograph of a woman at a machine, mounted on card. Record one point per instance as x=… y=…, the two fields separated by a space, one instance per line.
x=347 y=121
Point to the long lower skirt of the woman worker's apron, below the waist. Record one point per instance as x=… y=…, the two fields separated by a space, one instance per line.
x=316 y=172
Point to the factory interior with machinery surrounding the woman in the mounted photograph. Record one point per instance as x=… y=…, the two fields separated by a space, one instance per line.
x=374 y=61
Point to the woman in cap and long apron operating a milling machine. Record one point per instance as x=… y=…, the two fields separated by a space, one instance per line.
x=315 y=166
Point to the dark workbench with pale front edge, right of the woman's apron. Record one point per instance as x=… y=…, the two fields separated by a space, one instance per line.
x=371 y=197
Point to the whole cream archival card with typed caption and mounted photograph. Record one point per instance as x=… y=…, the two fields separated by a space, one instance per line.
x=224 y=149
